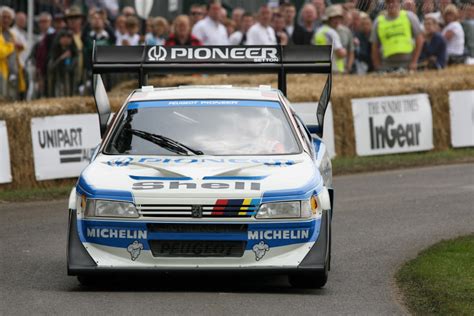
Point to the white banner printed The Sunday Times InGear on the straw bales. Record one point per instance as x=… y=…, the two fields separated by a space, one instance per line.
x=390 y=125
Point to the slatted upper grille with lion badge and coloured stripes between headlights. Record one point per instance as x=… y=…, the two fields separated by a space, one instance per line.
x=223 y=208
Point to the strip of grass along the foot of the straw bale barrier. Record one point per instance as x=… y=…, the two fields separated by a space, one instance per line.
x=341 y=165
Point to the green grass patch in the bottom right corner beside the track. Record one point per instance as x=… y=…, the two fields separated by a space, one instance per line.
x=440 y=281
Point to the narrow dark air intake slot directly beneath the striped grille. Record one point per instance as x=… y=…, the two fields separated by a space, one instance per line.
x=197 y=228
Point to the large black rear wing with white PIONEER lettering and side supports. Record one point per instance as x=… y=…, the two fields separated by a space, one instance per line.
x=279 y=60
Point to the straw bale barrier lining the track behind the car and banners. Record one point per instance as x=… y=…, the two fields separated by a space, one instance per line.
x=301 y=88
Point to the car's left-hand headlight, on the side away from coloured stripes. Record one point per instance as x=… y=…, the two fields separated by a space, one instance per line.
x=102 y=208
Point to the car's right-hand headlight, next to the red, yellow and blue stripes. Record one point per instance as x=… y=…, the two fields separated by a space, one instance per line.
x=294 y=209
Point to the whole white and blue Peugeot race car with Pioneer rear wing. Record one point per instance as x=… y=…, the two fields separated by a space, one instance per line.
x=205 y=179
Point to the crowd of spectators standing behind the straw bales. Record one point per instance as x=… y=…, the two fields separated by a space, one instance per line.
x=383 y=36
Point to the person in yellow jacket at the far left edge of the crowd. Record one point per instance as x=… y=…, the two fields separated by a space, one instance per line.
x=12 y=79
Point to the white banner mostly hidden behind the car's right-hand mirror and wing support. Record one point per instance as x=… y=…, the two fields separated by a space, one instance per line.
x=307 y=112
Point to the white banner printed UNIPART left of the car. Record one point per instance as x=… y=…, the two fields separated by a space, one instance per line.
x=62 y=145
